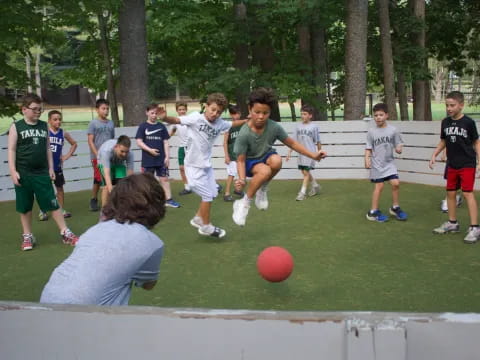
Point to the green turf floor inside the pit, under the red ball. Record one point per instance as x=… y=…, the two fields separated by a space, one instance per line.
x=342 y=261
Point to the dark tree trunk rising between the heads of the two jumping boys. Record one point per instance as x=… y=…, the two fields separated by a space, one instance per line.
x=241 y=54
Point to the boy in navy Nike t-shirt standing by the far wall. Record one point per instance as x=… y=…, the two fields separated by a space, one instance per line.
x=152 y=137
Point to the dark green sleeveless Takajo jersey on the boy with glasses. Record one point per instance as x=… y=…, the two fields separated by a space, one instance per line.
x=31 y=154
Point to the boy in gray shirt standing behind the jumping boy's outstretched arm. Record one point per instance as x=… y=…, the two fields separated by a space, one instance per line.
x=307 y=134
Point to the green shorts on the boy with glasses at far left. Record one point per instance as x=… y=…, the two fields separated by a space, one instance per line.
x=35 y=186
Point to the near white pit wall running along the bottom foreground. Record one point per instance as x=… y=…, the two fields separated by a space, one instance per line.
x=37 y=331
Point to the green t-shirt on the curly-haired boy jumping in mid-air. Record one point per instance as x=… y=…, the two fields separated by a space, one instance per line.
x=254 y=145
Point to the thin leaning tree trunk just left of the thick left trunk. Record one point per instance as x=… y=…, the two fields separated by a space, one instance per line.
x=107 y=62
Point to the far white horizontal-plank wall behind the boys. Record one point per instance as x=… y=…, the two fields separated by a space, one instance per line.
x=343 y=140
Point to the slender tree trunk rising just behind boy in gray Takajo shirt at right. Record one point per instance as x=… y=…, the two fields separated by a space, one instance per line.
x=387 y=58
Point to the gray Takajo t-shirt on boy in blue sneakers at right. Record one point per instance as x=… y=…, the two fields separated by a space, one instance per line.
x=382 y=142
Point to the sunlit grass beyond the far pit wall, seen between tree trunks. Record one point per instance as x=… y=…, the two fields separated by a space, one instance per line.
x=77 y=118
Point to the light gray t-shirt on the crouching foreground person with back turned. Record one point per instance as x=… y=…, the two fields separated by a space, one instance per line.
x=108 y=259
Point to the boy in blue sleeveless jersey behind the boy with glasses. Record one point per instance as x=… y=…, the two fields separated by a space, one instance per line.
x=57 y=138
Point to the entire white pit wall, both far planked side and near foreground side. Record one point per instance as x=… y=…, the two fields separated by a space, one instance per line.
x=33 y=331
